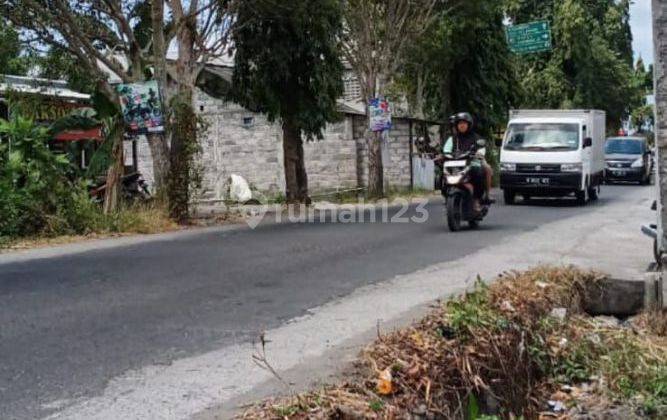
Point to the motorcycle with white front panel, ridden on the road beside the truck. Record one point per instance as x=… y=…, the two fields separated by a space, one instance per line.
x=457 y=189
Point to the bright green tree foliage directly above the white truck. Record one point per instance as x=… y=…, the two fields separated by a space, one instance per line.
x=591 y=63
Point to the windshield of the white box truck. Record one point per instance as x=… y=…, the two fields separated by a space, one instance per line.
x=543 y=137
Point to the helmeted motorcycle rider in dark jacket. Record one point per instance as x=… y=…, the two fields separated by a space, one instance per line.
x=465 y=139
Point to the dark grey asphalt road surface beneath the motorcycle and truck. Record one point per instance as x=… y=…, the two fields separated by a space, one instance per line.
x=69 y=324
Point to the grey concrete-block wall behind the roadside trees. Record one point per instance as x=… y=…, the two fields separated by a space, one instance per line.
x=238 y=141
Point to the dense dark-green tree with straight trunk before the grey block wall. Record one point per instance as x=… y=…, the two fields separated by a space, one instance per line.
x=288 y=66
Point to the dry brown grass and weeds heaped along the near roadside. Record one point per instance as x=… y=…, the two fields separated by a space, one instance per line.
x=496 y=349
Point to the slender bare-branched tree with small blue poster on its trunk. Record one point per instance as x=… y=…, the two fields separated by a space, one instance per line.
x=376 y=39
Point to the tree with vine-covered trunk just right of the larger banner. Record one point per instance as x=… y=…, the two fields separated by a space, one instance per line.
x=201 y=30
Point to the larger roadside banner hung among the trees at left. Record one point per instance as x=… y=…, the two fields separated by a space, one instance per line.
x=141 y=107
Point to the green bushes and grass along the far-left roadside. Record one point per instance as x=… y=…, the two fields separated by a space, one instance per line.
x=41 y=194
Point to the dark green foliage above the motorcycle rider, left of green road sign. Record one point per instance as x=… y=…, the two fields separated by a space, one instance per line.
x=466 y=65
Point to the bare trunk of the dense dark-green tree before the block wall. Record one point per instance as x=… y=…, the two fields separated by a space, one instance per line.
x=296 y=178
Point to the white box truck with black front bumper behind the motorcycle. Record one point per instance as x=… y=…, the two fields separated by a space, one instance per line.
x=553 y=153
